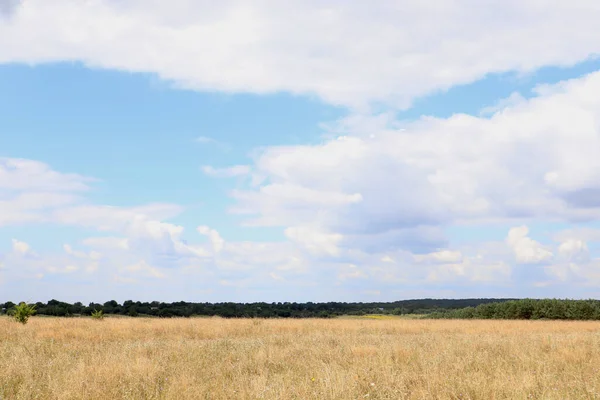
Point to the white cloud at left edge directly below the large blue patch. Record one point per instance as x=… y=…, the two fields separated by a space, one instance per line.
x=32 y=192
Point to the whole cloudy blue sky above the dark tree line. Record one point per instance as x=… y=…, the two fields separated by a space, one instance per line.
x=299 y=151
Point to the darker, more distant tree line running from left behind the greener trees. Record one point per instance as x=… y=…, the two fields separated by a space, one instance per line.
x=250 y=310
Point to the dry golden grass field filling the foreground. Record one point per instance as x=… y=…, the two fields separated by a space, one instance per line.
x=213 y=358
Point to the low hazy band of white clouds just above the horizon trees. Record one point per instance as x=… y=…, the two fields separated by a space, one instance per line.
x=286 y=267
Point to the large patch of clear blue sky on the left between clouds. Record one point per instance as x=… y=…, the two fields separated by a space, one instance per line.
x=134 y=134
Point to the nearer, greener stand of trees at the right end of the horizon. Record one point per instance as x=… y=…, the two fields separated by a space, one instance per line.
x=527 y=309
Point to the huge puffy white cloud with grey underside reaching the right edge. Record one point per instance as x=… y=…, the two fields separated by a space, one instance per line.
x=536 y=160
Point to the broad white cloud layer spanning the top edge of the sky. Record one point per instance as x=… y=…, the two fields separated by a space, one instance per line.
x=350 y=53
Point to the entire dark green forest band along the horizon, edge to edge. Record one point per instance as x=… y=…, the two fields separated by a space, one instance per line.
x=430 y=308
